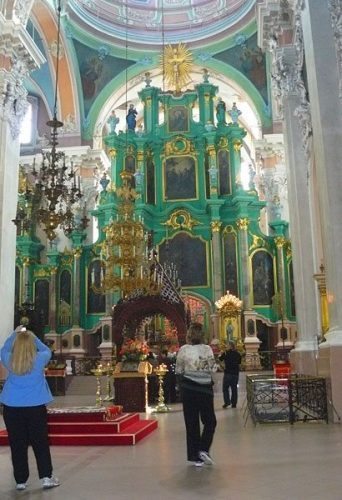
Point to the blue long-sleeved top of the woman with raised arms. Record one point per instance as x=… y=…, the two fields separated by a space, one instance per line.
x=30 y=389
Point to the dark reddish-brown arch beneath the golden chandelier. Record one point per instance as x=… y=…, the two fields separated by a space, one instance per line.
x=137 y=309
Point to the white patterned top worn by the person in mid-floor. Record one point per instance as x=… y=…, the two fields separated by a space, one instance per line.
x=196 y=362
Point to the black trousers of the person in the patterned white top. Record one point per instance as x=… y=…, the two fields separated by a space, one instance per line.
x=198 y=406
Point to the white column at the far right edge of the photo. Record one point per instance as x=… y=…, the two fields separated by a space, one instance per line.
x=326 y=108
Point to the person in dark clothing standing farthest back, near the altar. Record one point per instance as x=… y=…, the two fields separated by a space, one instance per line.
x=232 y=360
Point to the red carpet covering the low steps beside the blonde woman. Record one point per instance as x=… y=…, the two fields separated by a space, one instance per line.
x=91 y=427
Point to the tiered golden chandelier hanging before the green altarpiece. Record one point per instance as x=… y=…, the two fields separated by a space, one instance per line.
x=127 y=264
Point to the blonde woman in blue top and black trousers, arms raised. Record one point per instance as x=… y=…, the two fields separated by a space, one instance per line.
x=24 y=396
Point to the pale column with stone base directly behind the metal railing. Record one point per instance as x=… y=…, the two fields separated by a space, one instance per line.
x=301 y=224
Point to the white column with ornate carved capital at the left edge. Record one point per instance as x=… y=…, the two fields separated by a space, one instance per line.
x=18 y=56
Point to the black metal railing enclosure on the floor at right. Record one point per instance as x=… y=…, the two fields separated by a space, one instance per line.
x=297 y=398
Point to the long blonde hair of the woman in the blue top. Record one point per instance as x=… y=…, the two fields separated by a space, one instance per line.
x=24 y=353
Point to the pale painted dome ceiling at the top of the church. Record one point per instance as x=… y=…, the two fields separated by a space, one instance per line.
x=155 y=22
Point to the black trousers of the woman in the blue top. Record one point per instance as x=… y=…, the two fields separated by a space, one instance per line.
x=28 y=426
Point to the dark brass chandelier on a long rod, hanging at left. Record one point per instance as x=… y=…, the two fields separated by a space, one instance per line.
x=54 y=190
